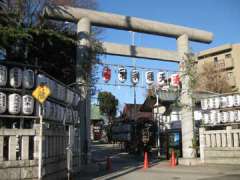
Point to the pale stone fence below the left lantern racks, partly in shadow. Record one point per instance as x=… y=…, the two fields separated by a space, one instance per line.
x=19 y=150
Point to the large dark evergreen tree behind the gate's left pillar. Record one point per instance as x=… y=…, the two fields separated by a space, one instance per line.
x=52 y=49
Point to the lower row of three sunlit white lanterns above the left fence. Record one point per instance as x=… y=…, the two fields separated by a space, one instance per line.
x=16 y=104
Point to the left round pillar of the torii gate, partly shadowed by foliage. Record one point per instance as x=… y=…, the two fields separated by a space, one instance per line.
x=83 y=30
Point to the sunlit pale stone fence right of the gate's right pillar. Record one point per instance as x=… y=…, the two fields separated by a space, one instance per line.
x=220 y=146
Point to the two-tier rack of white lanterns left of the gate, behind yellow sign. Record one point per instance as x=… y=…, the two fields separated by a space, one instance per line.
x=16 y=85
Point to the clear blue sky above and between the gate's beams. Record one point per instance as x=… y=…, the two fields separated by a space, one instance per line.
x=222 y=17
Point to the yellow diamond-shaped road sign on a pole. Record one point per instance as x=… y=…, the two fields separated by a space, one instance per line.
x=41 y=93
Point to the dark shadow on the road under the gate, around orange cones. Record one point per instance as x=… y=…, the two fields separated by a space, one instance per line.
x=121 y=163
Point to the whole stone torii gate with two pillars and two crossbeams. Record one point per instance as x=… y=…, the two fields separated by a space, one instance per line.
x=87 y=18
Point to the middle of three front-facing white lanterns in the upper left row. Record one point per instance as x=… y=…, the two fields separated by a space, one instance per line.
x=15 y=77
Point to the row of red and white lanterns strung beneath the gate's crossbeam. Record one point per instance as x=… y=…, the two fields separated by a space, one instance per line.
x=135 y=76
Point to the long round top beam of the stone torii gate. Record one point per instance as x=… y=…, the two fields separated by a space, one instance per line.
x=110 y=20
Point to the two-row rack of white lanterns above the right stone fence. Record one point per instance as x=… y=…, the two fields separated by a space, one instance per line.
x=220 y=110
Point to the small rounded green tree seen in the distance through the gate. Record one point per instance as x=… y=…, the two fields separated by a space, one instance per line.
x=108 y=105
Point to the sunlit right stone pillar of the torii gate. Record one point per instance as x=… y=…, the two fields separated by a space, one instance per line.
x=186 y=100
